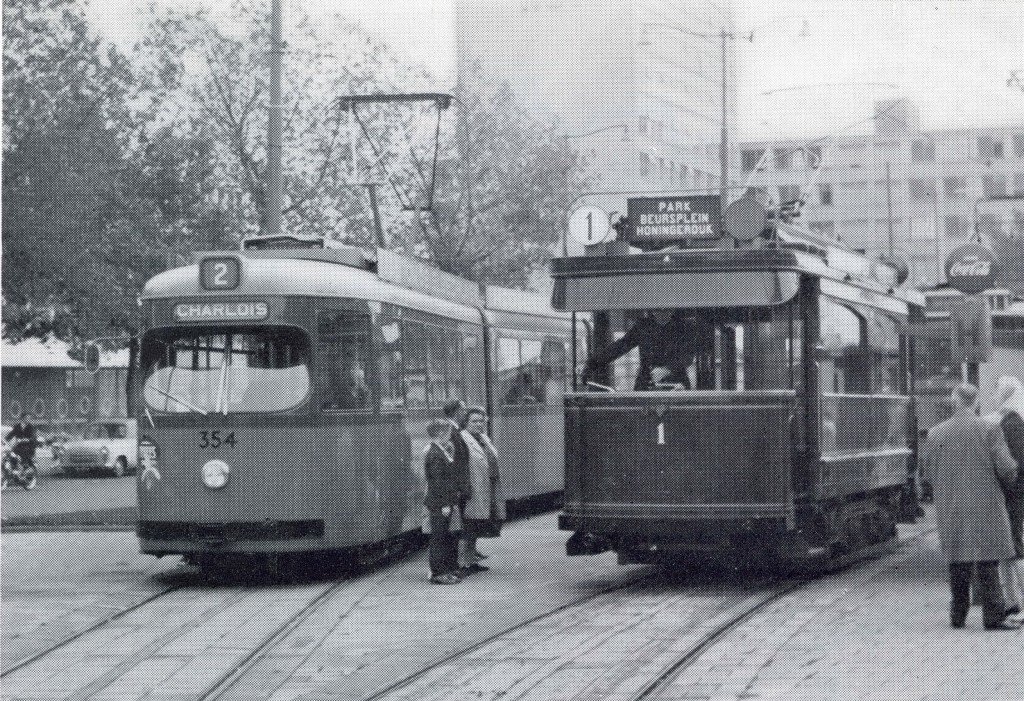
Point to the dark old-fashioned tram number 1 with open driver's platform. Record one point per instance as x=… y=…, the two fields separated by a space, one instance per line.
x=786 y=429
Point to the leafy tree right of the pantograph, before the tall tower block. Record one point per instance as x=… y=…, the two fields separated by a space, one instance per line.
x=505 y=188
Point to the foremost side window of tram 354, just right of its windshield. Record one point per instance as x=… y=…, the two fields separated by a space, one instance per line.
x=345 y=346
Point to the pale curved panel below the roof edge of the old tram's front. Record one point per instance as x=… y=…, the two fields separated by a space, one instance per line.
x=675 y=290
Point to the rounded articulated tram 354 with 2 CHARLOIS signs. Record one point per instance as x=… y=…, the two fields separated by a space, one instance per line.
x=283 y=393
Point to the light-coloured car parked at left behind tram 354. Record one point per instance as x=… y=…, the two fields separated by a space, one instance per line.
x=110 y=446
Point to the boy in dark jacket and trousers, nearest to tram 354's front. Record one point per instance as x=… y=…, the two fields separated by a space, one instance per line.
x=442 y=503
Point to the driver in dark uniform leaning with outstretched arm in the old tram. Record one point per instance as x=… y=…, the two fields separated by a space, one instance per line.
x=668 y=342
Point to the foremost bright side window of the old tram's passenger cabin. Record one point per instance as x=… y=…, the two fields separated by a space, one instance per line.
x=844 y=367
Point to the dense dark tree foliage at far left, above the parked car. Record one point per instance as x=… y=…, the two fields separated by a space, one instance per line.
x=95 y=203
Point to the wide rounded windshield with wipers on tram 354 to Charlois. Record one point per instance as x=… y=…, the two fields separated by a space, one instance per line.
x=249 y=370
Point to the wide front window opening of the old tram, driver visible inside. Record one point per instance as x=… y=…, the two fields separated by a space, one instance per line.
x=737 y=349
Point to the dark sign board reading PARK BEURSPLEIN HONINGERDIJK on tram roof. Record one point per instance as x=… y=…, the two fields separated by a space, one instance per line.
x=673 y=218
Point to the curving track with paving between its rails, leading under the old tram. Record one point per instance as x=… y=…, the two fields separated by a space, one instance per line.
x=636 y=660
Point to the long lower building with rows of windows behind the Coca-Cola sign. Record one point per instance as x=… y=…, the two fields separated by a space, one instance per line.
x=921 y=194
